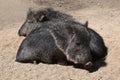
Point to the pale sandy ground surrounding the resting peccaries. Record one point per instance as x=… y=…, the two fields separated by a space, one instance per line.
x=103 y=16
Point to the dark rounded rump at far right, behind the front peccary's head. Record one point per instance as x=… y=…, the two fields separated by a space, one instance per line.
x=97 y=46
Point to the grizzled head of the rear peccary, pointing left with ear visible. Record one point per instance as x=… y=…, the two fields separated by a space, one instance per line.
x=31 y=23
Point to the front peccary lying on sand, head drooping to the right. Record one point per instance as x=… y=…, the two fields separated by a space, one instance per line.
x=75 y=48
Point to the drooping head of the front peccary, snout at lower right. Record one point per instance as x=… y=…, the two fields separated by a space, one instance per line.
x=74 y=41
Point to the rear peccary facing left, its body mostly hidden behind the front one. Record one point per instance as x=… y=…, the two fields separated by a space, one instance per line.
x=35 y=19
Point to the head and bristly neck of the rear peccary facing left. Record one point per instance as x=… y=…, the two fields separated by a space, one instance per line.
x=40 y=16
